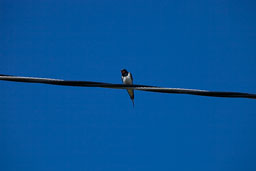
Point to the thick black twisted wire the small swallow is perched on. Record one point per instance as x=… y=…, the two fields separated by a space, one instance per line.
x=121 y=86
